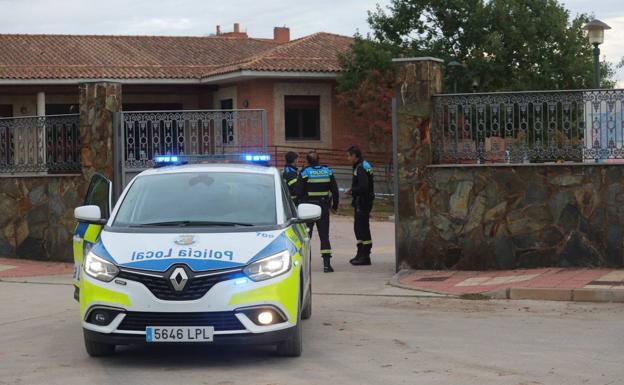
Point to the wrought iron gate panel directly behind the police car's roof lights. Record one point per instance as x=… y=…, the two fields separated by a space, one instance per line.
x=147 y=134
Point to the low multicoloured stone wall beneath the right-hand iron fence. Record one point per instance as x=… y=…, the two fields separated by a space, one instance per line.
x=488 y=217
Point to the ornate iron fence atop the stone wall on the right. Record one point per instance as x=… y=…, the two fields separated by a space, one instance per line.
x=529 y=127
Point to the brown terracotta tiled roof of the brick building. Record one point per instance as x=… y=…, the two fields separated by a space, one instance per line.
x=150 y=57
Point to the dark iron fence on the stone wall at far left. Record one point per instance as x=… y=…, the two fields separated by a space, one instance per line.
x=40 y=144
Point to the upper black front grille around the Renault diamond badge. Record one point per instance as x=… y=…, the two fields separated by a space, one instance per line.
x=195 y=288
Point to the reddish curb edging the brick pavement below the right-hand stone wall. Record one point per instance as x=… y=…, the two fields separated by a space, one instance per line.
x=553 y=294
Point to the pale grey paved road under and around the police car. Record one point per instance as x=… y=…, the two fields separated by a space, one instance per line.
x=361 y=332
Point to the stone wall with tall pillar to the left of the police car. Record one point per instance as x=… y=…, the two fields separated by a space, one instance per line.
x=37 y=212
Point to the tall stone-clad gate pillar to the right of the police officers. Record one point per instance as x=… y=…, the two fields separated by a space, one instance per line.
x=418 y=79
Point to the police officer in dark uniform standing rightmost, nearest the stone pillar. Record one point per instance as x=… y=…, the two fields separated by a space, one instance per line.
x=363 y=193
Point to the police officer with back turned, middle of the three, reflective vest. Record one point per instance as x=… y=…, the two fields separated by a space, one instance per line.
x=317 y=185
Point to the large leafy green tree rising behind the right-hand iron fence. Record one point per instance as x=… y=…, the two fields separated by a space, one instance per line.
x=505 y=45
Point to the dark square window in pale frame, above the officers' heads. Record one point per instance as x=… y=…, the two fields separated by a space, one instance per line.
x=302 y=117
